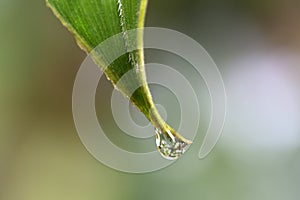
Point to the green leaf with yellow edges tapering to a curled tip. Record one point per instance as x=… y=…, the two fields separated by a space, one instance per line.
x=92 y=22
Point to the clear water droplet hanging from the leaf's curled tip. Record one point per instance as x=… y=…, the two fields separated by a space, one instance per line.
x=169 y=145
